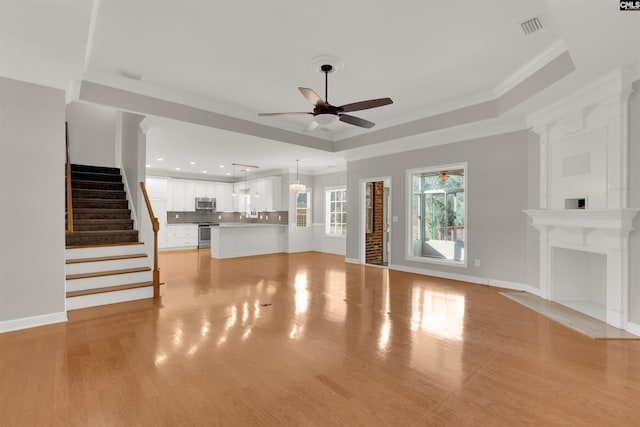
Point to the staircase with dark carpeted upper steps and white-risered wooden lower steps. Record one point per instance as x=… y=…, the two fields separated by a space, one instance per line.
x=105 y=263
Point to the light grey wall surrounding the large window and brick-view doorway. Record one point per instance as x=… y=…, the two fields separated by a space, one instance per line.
x=497 y=193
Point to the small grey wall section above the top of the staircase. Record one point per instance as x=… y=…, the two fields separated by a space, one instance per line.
x=92 y=134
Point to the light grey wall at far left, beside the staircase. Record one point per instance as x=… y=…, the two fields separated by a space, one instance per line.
x=32 y=192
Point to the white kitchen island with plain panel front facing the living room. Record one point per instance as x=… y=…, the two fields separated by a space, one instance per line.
x=242 y=239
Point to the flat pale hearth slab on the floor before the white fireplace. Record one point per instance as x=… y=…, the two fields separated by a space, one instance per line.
x=575 y=320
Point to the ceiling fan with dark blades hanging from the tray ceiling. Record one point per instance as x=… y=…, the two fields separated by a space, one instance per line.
x=325 y=113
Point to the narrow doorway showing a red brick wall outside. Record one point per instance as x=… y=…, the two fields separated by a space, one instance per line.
x=376 y=209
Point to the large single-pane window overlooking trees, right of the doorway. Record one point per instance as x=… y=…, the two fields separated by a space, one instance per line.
x=438 y=206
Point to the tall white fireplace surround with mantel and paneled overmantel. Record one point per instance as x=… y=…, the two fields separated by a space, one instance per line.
x=584 y=157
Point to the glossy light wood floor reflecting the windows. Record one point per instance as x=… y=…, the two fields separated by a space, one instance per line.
x=340 y=344
